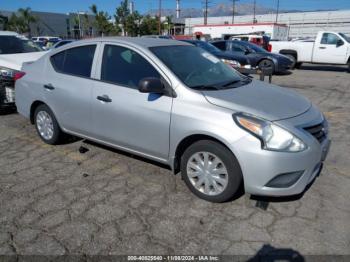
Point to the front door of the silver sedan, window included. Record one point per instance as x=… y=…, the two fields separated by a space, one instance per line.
x=123 y=116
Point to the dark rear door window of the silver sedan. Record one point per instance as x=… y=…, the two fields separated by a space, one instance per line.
x=76 y=61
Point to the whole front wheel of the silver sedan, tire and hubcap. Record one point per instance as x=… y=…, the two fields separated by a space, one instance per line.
x=228 y=175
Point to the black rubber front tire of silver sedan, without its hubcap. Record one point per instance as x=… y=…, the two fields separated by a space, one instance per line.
x=234 y=171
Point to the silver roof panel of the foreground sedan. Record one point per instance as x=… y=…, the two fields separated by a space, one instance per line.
x=137 y=41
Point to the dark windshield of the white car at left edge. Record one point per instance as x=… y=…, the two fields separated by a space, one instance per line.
x=14 y=45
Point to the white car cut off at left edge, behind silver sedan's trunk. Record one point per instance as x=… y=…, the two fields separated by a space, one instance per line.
x=14 y=51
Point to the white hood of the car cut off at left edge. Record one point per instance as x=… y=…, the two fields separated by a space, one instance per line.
x=15 y=61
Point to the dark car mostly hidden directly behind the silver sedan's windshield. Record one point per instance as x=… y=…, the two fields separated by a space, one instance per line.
x=239 y=62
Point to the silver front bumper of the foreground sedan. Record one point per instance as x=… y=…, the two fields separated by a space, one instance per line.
x=260 y=167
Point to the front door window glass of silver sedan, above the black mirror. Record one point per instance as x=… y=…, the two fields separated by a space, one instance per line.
x=123 y=66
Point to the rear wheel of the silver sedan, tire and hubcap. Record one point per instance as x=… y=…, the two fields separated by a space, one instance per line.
x=45 y=120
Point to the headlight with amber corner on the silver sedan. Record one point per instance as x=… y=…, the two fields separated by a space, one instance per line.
x=273 y=137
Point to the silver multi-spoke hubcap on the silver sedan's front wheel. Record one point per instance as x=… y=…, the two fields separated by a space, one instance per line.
x=207 y=173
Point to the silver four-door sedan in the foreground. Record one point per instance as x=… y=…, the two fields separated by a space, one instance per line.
x=177 y=104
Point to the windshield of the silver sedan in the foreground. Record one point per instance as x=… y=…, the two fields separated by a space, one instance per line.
x=197 y=68
